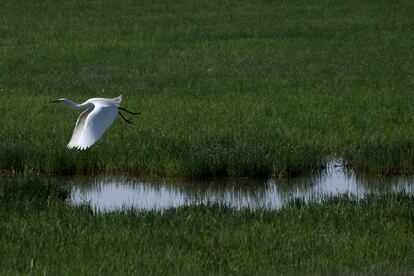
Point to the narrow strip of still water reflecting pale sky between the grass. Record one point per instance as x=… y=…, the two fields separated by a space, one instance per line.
x=106 y=194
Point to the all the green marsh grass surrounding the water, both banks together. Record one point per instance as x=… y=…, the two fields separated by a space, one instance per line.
x=263 y=89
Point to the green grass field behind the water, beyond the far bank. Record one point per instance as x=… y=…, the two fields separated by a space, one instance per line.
x=226 y=88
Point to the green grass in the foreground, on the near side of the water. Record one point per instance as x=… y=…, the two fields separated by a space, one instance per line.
x=42 y=235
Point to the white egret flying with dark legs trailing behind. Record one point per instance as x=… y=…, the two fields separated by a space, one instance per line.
x=99 y=114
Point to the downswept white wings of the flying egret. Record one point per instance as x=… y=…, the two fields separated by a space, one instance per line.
x=91 y=124
